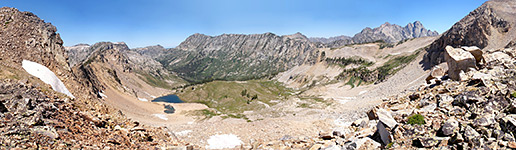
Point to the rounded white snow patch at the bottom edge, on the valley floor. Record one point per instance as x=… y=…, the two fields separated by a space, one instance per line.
x=223 y=141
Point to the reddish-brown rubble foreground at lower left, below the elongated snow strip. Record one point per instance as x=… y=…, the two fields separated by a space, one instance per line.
x=33 y=119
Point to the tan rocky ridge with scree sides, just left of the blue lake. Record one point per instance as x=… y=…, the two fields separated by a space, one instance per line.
x=114 y=65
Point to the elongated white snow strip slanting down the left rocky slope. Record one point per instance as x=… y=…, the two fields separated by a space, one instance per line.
x=45 y=75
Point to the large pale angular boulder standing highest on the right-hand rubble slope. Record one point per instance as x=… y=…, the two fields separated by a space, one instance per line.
x=458 y=60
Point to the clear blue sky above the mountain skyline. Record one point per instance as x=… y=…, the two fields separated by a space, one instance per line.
x=142 y=23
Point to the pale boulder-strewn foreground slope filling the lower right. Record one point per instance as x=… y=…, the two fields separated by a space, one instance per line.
x=474 y=109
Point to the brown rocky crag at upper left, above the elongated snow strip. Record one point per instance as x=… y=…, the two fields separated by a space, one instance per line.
x=24 y=36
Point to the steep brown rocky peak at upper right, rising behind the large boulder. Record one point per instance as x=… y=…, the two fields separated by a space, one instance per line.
x=490 y=26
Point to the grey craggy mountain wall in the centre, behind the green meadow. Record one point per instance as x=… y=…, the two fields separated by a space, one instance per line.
x=237 y=56
